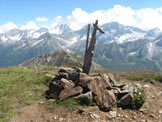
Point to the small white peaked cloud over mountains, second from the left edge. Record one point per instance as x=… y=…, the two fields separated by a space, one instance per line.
x=29 y=25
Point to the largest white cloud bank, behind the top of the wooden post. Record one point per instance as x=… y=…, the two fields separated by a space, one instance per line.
x=146 y=18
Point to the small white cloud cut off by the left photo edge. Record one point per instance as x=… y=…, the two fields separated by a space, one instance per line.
x=7 y=27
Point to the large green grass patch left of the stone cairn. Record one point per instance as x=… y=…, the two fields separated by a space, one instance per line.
x=18 y=85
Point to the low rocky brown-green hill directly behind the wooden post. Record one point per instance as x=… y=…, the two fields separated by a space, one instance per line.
x=59 y=58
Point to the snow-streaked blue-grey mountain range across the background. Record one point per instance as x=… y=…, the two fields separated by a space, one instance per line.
x=121 y=48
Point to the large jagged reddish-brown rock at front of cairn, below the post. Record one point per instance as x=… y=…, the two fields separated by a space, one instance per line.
x=103 y=97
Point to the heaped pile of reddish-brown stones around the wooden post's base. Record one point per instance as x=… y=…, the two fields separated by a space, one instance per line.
x=101 y=88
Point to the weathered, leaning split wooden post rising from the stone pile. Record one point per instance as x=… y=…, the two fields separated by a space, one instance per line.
x=90 y=48
